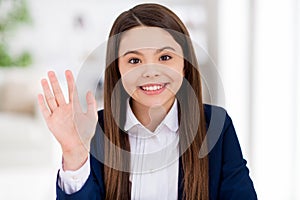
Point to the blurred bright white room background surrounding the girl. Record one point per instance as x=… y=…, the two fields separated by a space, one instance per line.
x=254 y=45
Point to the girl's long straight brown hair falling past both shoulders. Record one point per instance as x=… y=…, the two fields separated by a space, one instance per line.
x=117 y=184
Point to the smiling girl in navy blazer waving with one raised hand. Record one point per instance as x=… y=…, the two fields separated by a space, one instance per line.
x=155 y=139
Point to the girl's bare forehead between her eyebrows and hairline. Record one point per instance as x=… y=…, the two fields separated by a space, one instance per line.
x=144 y=37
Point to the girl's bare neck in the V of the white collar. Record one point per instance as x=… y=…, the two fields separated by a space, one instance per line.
x=151 y=117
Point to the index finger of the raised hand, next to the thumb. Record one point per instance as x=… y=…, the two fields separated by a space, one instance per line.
x=73 y=94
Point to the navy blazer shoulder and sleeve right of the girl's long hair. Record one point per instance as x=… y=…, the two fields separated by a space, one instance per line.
x=228 y=173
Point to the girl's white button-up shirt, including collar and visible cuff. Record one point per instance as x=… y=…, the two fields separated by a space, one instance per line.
x=154 y=160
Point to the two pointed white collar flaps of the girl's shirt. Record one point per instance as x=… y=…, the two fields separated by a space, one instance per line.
x=171 y=119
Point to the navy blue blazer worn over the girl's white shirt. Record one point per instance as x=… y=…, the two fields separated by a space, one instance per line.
x=228 y=174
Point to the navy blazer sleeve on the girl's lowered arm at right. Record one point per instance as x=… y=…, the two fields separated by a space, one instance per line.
x=235 y=180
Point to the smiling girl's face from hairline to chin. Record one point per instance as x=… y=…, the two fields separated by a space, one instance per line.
x=151 y=66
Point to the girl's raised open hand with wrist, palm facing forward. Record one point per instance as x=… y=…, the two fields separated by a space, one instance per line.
x=72 y=127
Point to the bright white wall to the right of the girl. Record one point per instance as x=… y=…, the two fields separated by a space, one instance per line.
x=260 y=68
